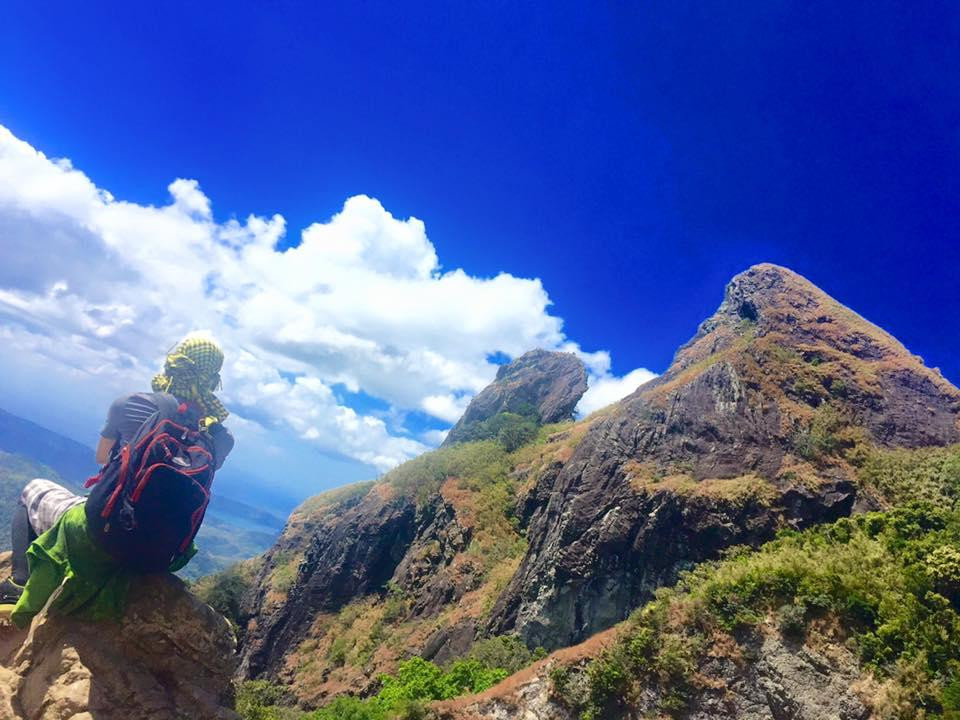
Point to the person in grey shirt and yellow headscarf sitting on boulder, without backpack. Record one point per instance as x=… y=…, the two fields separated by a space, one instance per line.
x=53 y=545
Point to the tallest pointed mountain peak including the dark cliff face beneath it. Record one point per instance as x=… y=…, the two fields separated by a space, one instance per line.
x=765 y=393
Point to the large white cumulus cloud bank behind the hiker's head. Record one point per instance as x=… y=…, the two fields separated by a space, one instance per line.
x=99 y=288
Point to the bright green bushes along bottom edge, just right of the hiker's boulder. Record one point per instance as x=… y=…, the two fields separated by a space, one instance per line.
x=401 y=697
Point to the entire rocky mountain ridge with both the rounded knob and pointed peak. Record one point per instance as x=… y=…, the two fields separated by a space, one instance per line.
x=750 y=430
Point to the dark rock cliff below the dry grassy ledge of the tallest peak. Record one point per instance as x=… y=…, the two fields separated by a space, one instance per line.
x=615 y=546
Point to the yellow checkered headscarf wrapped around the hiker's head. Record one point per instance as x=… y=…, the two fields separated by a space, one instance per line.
x=191 y=374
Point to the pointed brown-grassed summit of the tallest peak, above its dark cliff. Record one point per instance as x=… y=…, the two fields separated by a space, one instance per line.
x=791 y=347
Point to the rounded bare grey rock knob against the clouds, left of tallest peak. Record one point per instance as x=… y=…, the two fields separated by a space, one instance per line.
x=547 y=383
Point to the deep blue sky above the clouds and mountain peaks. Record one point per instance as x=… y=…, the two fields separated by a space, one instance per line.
x=631 y=157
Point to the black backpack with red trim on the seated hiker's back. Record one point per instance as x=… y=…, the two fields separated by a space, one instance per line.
x=148 y=501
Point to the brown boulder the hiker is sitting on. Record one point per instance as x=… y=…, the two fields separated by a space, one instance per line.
x=170 y=657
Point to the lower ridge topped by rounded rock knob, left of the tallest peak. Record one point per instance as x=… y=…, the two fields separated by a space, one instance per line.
x=366 y=560
